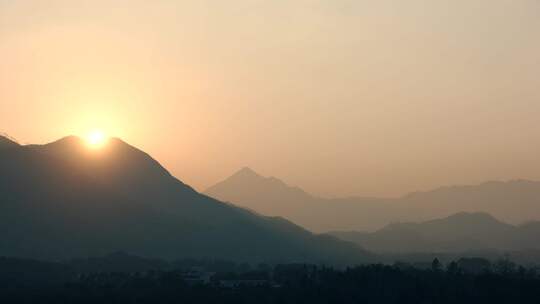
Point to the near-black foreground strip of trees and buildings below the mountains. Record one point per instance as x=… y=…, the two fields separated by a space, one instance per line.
x=94 y=281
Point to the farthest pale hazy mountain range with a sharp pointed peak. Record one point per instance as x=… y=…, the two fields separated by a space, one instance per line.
x=513 y=201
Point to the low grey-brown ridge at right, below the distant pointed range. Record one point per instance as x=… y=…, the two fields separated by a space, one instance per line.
x=461 y=232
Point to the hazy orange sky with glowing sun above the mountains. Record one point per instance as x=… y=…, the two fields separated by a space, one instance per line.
x=340 y=97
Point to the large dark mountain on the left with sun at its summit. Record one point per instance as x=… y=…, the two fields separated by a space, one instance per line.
x=63 y=200
